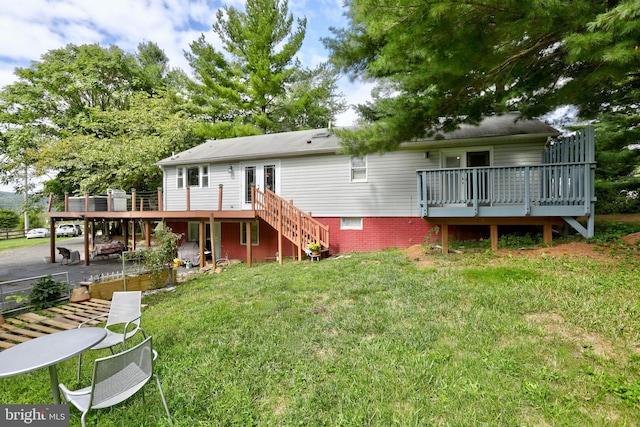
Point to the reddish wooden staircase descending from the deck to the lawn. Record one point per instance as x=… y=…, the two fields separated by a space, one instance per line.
x=297 y=226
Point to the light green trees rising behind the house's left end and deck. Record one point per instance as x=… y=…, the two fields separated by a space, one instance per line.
x=90 y=117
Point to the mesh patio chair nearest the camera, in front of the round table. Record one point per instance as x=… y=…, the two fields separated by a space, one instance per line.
x=115 y=379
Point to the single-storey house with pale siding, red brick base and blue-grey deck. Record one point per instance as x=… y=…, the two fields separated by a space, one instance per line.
x=505 y=171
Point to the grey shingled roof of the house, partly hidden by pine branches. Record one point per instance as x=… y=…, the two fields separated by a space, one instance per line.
x=322 y=141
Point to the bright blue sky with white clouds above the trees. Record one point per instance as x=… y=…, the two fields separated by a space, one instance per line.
x=29 y=28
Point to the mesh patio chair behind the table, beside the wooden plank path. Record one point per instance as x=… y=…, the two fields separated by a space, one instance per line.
x=124 y=314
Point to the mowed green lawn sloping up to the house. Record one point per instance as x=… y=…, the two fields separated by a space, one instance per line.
x=370 y=339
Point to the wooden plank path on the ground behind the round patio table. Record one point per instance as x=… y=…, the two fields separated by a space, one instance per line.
x=26 y=326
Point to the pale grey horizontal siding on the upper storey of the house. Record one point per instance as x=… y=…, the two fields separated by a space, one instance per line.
x=322 y=184
